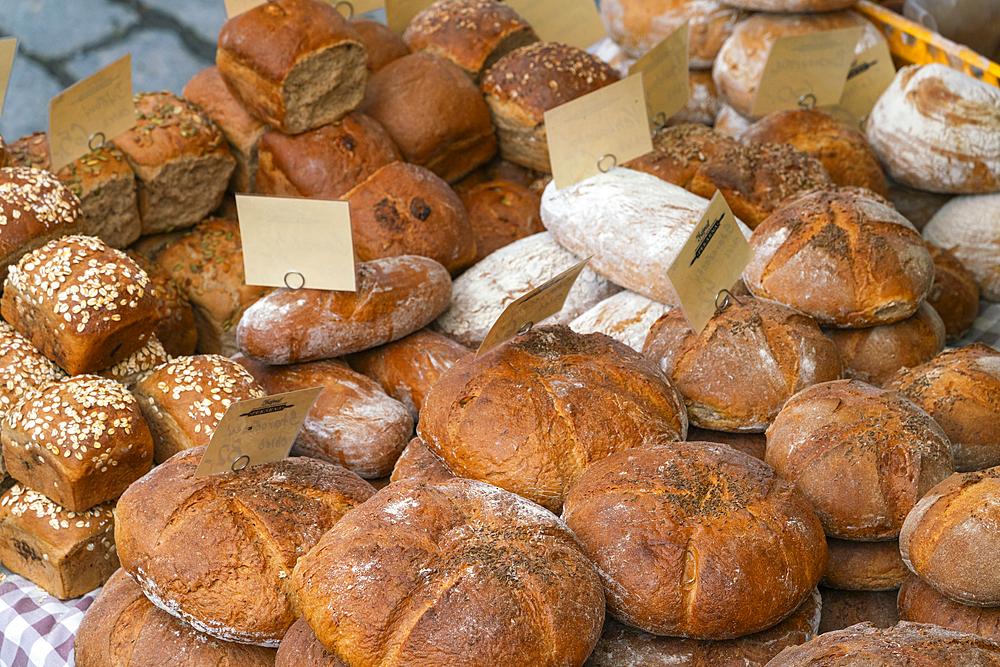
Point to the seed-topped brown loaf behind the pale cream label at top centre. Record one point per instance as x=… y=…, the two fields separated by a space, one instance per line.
x=518 y=95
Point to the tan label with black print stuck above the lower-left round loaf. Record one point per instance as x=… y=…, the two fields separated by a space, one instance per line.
x=257 y=431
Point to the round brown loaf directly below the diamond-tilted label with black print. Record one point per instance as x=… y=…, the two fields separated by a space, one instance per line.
x=778 y=351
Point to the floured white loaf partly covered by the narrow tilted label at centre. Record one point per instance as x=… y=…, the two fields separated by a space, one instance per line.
x=481 y=294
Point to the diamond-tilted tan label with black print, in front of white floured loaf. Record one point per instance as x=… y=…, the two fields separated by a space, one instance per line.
x=712 y=259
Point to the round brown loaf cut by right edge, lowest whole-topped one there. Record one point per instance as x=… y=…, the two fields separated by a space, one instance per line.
x=950 y=538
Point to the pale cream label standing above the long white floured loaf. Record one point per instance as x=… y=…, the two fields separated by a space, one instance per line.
x=610 y=121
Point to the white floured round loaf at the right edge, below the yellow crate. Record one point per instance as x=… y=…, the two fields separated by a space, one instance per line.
x=936 y=128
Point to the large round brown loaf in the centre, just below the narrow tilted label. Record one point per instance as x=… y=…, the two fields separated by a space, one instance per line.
x=530 y=415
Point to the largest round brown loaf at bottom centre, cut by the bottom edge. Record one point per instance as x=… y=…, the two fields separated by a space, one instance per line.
x=453 y=573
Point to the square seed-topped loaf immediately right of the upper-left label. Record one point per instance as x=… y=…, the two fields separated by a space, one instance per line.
x=181 y=161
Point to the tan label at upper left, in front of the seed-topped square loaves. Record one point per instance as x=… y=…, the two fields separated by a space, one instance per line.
x=92 y=111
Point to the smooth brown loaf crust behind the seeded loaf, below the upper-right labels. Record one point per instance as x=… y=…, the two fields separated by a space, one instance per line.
x=844 y=152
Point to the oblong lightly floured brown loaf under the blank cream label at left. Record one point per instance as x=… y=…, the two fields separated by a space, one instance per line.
x=395 y=296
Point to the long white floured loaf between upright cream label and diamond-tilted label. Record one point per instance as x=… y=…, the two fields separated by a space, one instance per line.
x=632 y=223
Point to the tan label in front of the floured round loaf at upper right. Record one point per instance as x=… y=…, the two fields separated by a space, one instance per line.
x=799 y=66
